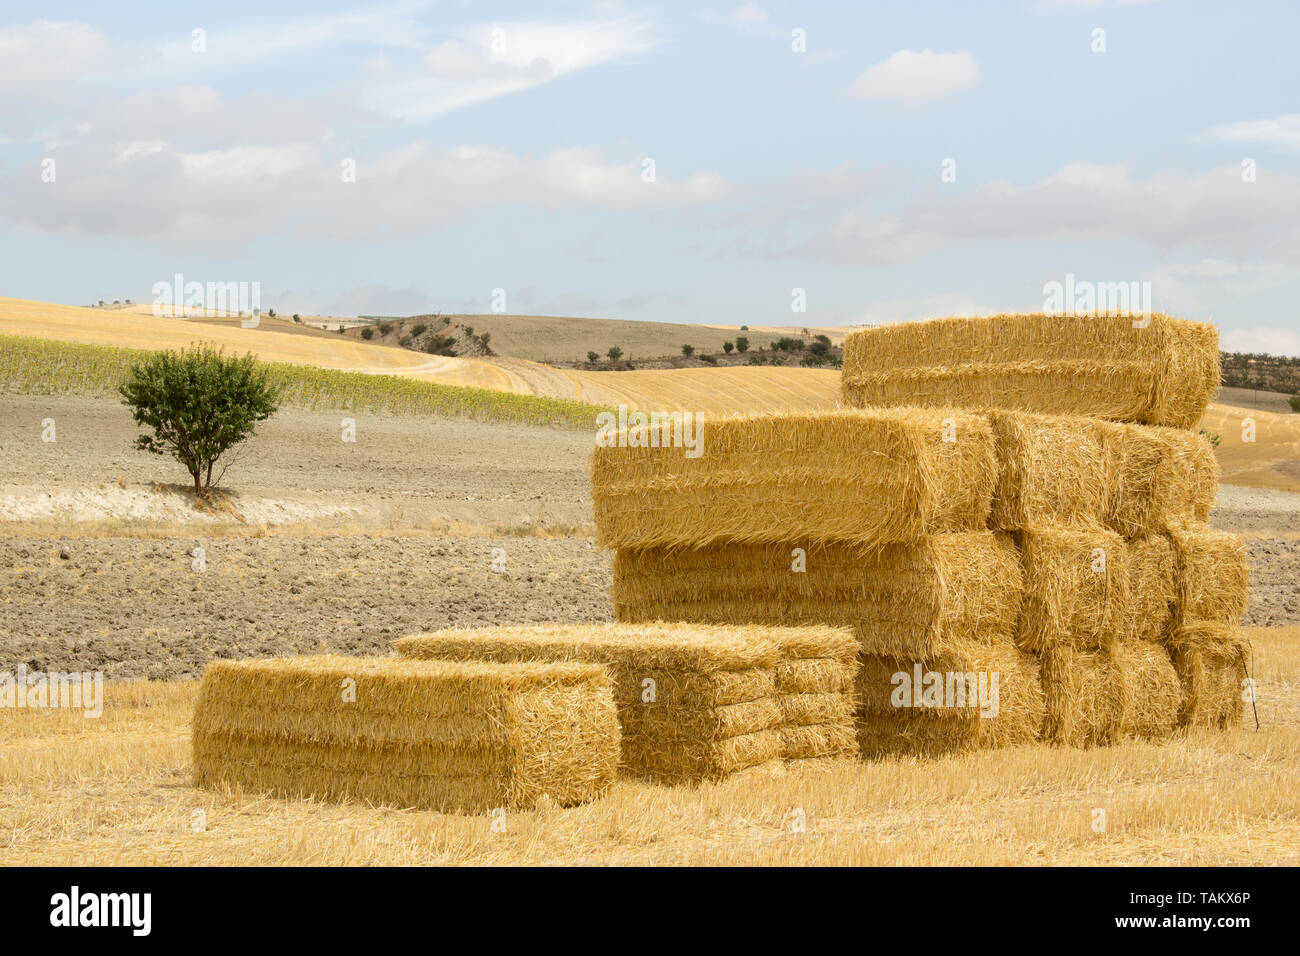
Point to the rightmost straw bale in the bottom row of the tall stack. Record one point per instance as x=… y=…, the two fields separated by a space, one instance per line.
x=1211 y=663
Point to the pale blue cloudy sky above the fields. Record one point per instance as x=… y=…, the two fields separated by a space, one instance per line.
x=864 y=162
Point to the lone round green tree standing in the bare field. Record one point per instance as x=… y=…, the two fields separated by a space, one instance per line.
x=200 y=405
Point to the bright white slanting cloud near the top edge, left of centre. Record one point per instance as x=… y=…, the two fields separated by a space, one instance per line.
x=493 y=60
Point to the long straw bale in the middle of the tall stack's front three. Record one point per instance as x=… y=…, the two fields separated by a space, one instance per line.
x=902 y=600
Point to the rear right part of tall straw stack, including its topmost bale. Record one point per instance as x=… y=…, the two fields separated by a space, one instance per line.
x=1130 y=599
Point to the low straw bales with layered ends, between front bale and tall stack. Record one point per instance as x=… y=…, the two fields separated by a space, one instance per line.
x=696 y=703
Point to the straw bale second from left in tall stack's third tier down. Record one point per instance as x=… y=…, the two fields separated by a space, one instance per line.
x=1076 y=590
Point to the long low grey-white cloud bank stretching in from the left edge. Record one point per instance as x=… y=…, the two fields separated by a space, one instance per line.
x=215 y=198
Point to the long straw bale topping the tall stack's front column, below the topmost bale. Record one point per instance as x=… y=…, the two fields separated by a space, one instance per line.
x=860 y=477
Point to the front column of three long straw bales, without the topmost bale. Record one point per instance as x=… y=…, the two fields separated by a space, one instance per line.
x=873 y=520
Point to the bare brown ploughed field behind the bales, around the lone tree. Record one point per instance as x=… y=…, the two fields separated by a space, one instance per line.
x=346 y=547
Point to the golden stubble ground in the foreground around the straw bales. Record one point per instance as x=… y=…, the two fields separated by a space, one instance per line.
x=116 y=791
